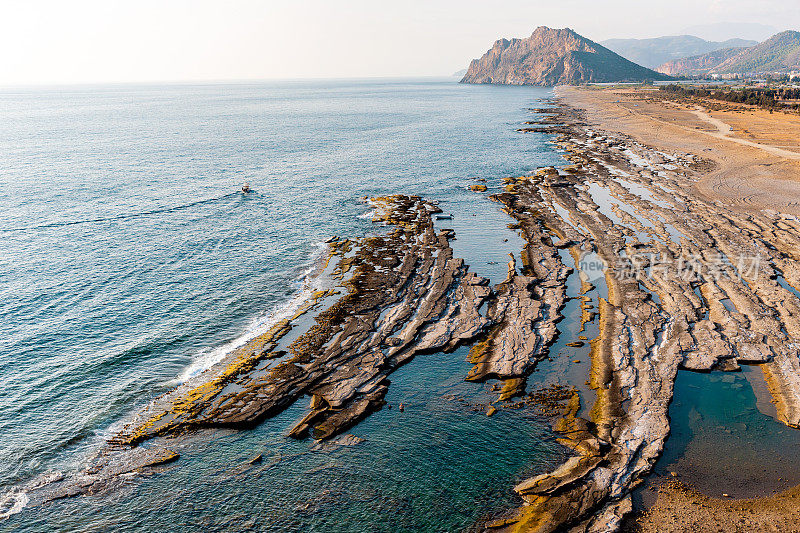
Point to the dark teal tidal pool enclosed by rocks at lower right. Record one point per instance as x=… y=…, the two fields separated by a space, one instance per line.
x=725 y=441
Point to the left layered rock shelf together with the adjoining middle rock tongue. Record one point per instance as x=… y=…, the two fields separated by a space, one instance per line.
x=396 y=296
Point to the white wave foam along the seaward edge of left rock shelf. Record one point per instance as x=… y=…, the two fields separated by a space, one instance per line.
x=261 y=324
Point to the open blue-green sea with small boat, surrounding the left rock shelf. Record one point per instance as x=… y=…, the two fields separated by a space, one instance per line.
x=129 y=261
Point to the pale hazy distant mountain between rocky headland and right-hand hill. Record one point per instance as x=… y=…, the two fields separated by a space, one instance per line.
x=654 y=52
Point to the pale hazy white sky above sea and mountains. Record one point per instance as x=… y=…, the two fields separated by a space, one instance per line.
x=84 y=41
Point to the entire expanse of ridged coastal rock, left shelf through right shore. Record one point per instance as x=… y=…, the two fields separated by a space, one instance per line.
x=691 y=284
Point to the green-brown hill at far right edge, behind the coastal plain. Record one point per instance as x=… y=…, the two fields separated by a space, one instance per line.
x=778 y=54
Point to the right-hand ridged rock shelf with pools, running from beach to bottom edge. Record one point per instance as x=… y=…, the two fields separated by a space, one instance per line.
x=692 y=285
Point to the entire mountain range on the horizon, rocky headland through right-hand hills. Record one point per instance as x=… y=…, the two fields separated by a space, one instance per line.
x=561 y=56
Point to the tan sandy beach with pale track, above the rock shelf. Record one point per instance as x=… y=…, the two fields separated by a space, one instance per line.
x=756 y=163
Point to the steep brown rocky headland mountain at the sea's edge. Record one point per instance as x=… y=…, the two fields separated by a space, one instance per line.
x=552 y=57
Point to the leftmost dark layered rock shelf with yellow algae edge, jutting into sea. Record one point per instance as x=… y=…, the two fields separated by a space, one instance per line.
x=404 y=293
